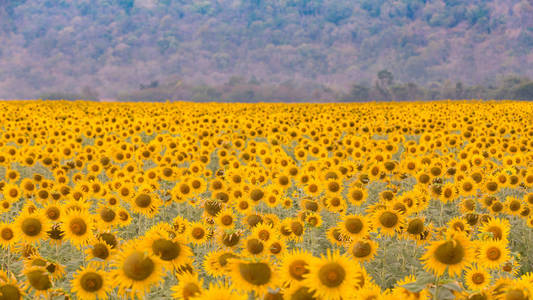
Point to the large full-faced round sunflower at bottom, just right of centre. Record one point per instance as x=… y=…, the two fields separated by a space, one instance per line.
x=331 y=276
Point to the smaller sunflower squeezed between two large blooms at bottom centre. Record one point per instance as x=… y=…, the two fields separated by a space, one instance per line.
x=294 y=265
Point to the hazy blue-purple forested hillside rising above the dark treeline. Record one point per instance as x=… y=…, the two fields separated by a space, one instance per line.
x=115 y=45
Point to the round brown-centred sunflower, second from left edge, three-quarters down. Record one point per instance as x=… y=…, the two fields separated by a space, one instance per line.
x=30 y=228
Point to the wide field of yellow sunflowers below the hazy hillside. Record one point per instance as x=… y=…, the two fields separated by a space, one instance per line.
x=421 y=200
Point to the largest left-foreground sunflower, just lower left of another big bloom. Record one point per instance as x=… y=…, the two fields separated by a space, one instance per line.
x=135 y=270
